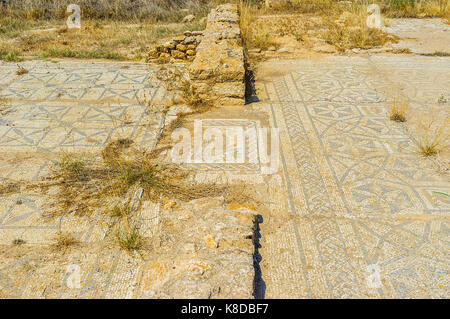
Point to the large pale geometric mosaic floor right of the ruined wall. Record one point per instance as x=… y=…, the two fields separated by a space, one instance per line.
x=359 y=214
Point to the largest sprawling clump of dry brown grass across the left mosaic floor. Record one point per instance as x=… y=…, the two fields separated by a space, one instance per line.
x=85 y=184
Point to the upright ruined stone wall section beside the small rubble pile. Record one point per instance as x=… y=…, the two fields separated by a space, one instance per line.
x=217 y=72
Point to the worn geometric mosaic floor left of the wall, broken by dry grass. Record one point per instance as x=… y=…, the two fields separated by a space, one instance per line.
x=58 y=108
